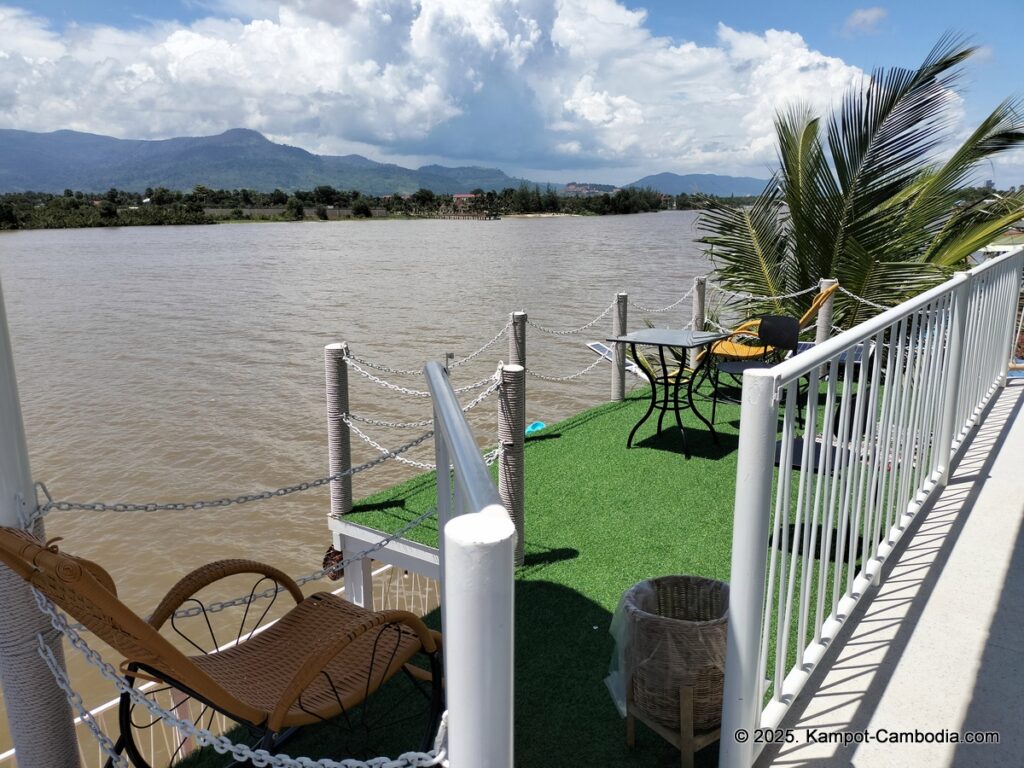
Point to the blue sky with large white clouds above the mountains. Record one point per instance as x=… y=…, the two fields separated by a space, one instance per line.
x=556 y=90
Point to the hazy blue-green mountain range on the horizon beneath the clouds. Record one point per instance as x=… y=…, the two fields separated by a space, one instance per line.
x=245 y=159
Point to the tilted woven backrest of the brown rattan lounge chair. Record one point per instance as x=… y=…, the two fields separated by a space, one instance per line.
x=87 y=592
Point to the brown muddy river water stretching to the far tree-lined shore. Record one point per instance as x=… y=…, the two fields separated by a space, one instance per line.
x=182 y=364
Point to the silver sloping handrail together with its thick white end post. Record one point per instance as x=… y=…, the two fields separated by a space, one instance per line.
x=477 y=552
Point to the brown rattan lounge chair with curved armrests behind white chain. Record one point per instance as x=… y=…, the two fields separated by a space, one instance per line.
x=323 y=658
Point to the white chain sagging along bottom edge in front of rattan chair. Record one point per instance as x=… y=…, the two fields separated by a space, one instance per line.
x=222 y=745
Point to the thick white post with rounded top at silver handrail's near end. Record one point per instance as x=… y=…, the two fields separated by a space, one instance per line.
x=479 y=638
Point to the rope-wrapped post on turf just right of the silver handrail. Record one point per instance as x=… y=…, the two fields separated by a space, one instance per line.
x=511 y=437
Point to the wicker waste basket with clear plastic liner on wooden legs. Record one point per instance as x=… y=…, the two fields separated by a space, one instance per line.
x=670 y=635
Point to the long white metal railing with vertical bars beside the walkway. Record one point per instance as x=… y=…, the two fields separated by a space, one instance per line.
x=864 y=428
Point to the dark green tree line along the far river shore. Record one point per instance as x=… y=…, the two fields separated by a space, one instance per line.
x=202 y=205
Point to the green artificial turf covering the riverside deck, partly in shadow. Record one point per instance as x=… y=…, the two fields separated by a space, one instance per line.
x=599 y=520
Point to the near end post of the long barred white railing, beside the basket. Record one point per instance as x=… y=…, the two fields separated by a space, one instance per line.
x=755 y=468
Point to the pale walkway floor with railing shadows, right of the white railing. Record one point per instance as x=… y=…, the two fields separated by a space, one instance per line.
x=941 y=648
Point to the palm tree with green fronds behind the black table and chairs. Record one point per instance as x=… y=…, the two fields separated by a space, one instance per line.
x=870 y=202
